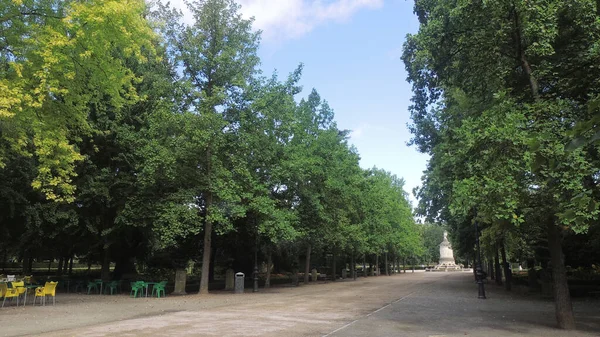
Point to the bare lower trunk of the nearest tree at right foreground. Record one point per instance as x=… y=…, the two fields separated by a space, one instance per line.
x=562 y=298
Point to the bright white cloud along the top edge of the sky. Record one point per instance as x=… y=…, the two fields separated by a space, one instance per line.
x=282 y=20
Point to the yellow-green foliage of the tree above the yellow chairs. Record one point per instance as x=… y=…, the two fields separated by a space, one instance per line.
x=57 y=60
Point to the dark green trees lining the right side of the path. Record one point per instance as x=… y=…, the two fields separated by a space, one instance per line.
x=506 y=103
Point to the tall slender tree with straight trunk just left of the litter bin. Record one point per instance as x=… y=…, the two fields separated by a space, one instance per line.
x=218 y=58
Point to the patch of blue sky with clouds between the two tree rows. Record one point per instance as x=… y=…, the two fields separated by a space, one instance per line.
x=351 y=54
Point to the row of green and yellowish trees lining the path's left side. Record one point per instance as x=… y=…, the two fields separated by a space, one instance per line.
x=126 y=135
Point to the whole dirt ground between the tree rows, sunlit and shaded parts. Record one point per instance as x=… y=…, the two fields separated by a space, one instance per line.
x=411 y=304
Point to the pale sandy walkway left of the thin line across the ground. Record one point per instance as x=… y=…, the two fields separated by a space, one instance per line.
x=304 y=311
